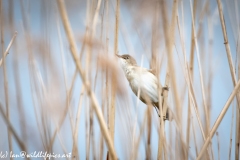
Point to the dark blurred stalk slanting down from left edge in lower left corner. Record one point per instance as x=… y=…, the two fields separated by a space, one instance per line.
x=11 y=128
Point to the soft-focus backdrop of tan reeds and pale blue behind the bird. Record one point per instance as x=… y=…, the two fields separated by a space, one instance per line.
x=44 y=99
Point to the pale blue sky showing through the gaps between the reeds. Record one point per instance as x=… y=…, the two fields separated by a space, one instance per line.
x=135 y=30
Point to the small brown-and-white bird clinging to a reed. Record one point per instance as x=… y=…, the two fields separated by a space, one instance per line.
x=142 y=80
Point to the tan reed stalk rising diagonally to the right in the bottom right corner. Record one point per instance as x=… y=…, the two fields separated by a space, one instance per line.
x=219 y=119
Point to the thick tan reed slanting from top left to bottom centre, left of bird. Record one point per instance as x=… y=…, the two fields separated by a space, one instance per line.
x=92 y=96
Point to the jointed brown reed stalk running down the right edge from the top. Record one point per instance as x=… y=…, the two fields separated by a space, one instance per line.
x=234 y=79
